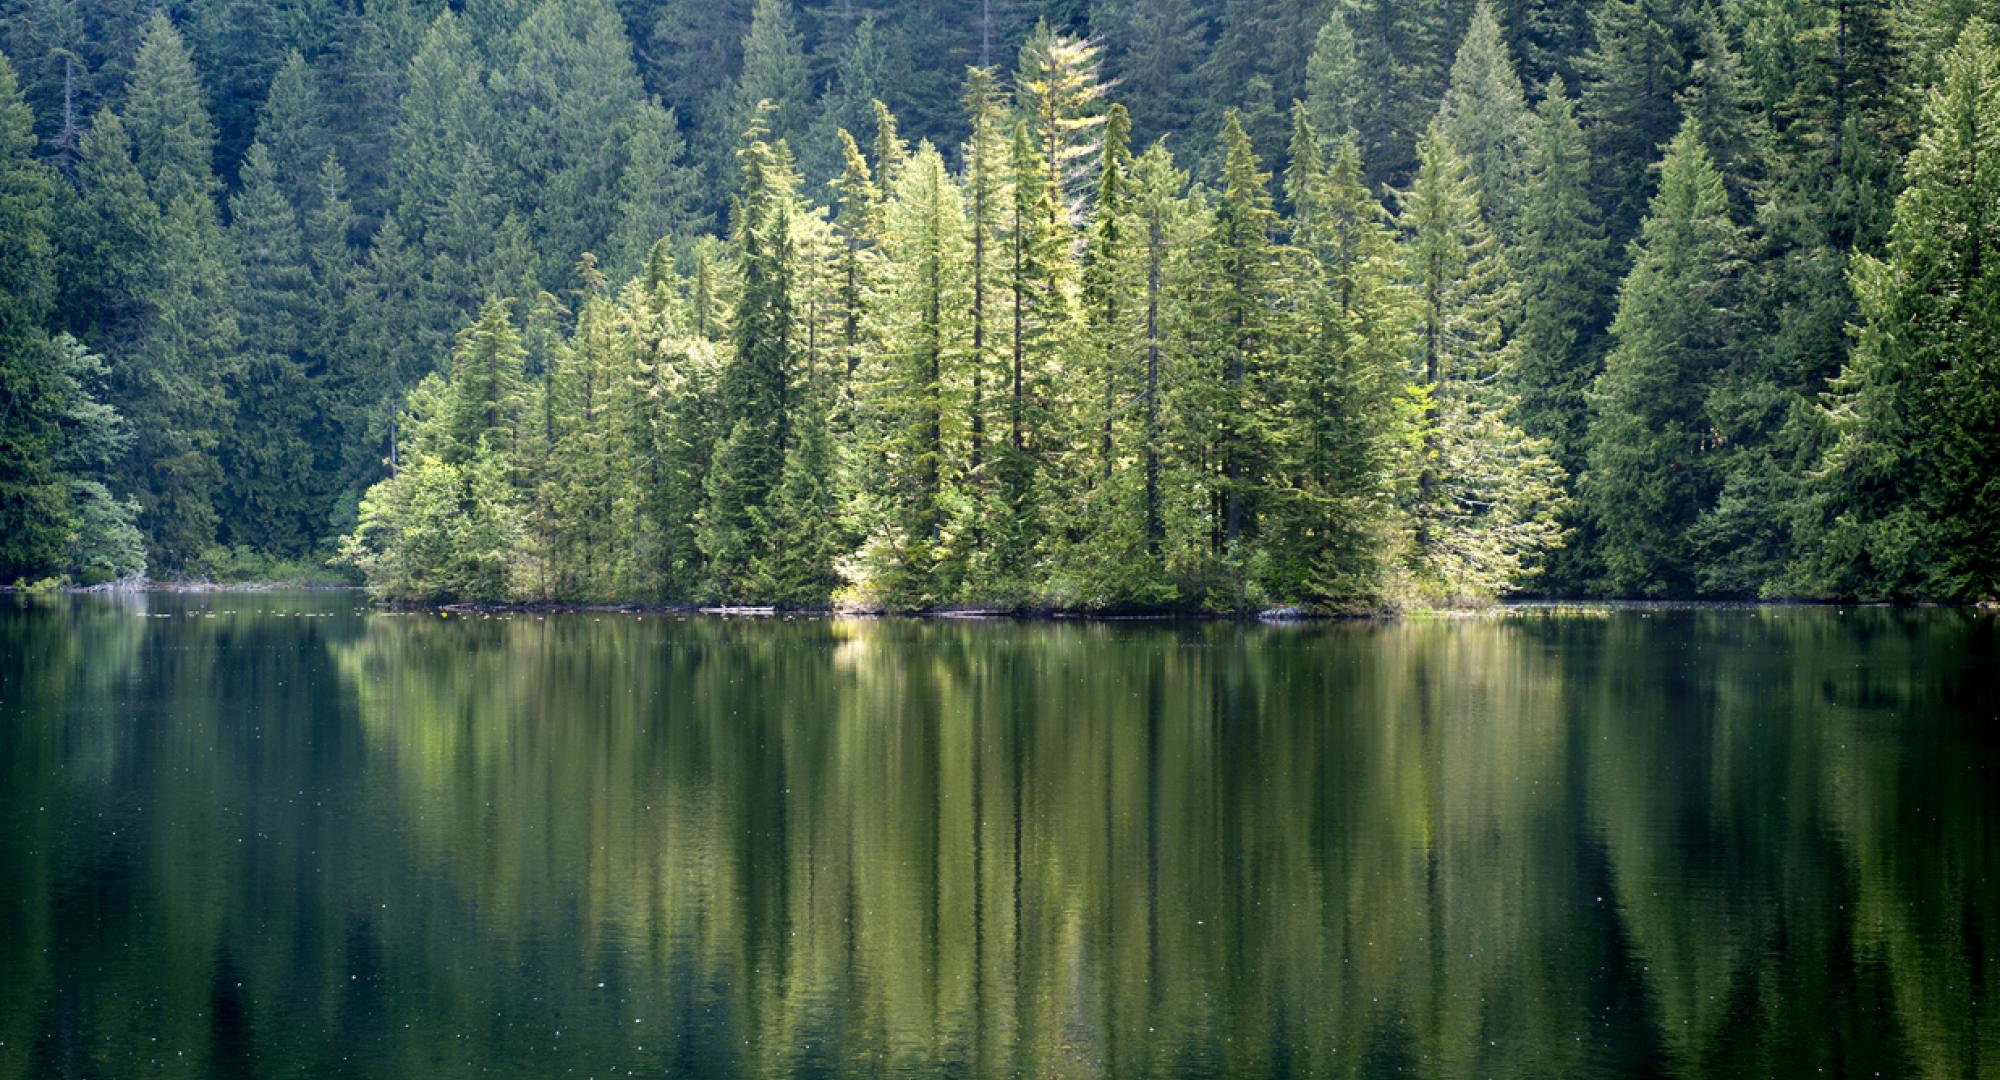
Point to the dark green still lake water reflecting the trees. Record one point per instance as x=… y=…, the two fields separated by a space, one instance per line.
x=237 y=841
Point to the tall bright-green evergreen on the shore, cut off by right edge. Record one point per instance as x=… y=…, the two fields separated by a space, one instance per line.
x=1907 y=493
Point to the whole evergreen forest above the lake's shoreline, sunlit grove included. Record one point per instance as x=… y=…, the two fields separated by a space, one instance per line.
x=1117 y=305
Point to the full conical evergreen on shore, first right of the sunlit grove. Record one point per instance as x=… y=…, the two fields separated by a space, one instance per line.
x=1653 y=465
